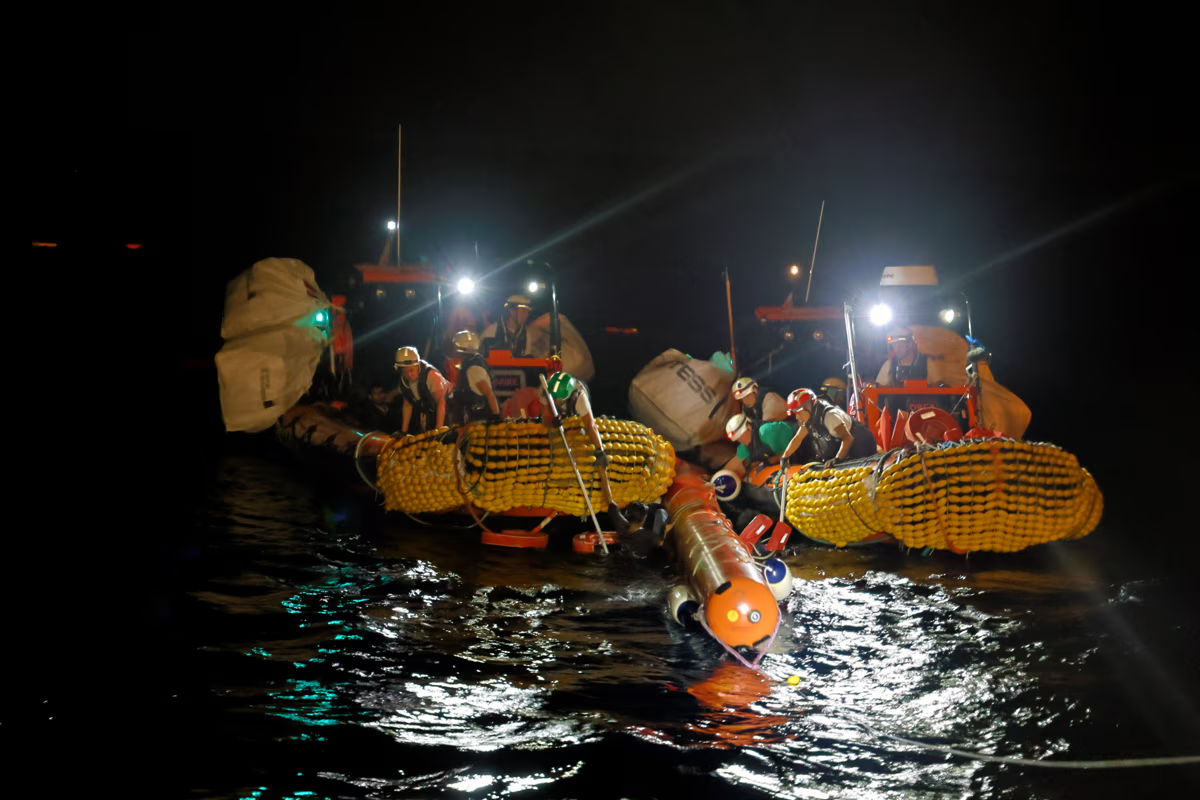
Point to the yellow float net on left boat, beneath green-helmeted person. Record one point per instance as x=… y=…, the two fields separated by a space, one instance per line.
x=502 y=466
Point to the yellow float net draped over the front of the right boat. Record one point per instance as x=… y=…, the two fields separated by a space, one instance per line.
x=988 y=495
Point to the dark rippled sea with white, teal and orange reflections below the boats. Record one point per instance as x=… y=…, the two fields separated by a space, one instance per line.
x=323 y=649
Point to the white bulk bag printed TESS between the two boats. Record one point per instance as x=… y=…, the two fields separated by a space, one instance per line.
x=676 y=396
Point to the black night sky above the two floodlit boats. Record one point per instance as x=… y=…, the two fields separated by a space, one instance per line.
x=697 y=136
